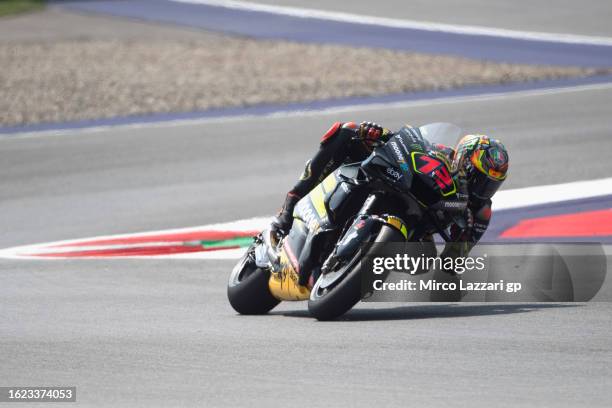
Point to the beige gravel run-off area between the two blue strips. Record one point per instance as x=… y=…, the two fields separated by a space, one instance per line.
x=93 y=69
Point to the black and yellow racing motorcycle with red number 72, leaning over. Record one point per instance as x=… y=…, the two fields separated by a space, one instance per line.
x=403 y=192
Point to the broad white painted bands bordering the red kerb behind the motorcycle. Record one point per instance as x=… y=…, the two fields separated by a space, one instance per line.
x=504 y=200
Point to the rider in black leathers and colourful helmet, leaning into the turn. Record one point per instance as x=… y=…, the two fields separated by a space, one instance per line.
x=478 y=163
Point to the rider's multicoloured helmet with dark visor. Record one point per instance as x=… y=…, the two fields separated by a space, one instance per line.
x=483 y=162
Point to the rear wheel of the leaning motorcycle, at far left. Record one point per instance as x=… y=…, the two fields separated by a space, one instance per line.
x=247 y=289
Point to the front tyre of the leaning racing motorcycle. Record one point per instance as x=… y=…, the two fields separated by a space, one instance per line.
x=336 y=292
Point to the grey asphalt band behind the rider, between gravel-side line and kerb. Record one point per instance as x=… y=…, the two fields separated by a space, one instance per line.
x=178 y=175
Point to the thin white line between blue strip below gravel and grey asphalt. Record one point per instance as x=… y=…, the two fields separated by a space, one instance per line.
x=315 y=112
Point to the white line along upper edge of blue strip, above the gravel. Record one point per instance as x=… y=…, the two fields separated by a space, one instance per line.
x=409 y=24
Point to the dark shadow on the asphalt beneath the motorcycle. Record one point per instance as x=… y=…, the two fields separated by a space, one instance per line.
x=435 y=311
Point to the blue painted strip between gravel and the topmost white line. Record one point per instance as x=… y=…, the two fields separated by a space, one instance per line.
x=275 y=26
